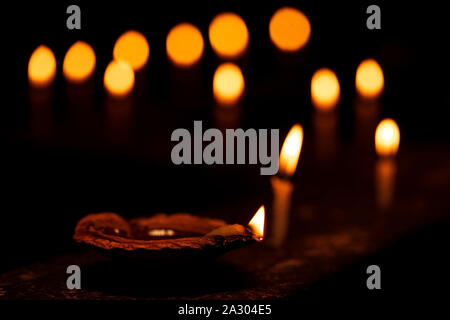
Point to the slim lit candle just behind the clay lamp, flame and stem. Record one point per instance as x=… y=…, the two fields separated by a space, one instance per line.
x=282 y=187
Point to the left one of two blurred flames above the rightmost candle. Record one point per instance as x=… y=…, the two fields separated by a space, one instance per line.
x=325 y=89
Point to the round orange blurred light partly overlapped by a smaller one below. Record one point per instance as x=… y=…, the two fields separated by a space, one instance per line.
x=133 y=48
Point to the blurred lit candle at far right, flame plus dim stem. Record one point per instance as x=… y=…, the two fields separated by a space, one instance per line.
x=387 y=140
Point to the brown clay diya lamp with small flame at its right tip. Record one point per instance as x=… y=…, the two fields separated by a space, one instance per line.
x=166 y=238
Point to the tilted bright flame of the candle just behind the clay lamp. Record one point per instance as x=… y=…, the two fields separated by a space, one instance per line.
x=290 y=152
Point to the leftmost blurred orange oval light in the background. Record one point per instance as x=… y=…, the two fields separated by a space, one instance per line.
x=41 y=67
